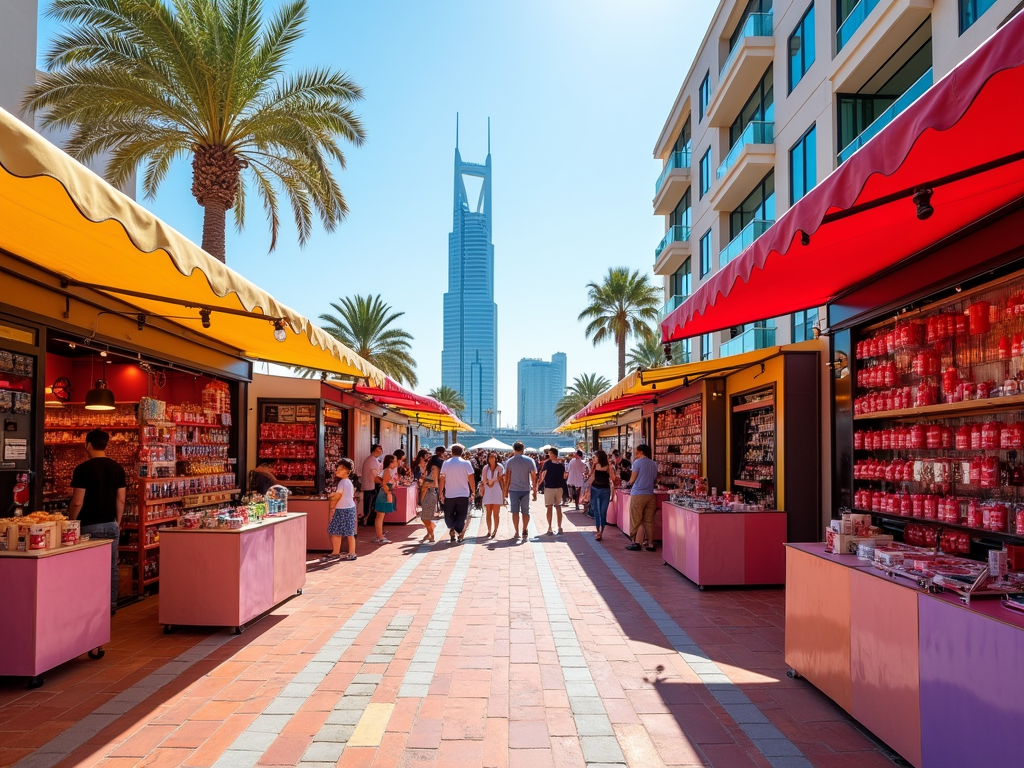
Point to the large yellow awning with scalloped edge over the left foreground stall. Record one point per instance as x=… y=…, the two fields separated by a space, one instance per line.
x=60 y=217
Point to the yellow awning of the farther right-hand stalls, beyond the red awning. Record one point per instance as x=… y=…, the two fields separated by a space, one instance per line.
x=631 y=392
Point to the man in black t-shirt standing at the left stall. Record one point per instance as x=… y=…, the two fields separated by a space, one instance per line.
x=99 y=499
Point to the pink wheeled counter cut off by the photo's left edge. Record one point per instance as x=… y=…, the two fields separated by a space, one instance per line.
x=57 y=607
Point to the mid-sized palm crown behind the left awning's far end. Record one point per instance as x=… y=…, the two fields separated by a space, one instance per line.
x=362 y=324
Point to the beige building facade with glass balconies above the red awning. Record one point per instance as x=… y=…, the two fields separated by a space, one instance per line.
x=780 y=95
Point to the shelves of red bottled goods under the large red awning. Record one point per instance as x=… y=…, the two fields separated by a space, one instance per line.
x=940 y=419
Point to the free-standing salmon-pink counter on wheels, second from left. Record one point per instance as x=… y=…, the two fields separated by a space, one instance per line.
x=225 y=578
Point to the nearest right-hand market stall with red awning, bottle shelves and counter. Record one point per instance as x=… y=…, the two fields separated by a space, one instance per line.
x=915 y=626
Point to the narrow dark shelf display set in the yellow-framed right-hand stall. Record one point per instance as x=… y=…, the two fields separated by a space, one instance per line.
x=754 y=447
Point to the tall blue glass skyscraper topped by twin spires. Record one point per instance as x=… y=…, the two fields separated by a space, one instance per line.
x=470 y=358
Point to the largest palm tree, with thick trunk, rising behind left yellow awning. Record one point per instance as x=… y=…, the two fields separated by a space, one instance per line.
x=153 y=81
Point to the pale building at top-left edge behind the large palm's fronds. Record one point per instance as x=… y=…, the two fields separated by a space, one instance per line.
x=19 y=32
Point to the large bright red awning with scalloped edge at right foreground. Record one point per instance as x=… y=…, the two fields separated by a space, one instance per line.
x=973 y=117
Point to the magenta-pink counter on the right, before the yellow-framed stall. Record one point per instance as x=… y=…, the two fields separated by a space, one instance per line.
x=726 y=548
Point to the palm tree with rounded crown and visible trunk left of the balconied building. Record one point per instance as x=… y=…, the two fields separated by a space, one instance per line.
x=623 y=305
